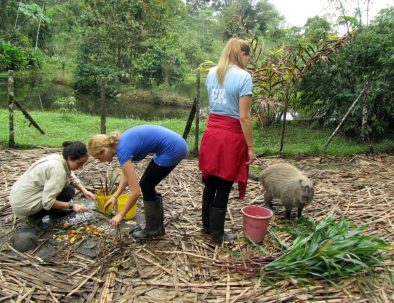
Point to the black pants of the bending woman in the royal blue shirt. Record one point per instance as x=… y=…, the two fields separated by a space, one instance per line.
x=151 y=177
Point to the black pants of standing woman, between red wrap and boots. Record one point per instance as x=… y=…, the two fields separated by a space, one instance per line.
x=216 y=191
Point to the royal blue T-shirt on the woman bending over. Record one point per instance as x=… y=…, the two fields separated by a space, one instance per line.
x=136 y=143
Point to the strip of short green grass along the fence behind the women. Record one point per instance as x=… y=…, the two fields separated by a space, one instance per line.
x=300 y=140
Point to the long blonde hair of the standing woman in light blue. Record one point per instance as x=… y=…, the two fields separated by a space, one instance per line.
x=232 y=54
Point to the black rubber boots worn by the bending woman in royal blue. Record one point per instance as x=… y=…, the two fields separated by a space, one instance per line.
x=153 y=220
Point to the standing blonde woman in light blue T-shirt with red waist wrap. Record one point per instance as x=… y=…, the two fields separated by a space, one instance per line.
x=227 y=145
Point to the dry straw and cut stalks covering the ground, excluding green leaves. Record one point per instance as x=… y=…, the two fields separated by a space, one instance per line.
x=183 y=266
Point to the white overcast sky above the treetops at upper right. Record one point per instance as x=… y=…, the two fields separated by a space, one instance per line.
x=297 y=12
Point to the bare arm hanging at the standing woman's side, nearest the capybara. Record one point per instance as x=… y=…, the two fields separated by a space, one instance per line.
x=245 y=119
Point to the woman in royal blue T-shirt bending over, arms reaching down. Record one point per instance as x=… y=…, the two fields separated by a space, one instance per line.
x=133 y=145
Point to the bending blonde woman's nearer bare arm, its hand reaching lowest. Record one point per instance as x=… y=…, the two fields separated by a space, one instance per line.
x=131 y=179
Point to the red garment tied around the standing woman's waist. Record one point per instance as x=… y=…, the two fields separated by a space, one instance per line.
x=223 y=151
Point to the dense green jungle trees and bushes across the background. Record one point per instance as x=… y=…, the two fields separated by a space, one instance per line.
x=312 y=70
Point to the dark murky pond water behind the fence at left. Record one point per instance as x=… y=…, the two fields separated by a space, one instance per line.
x=37 y=94
